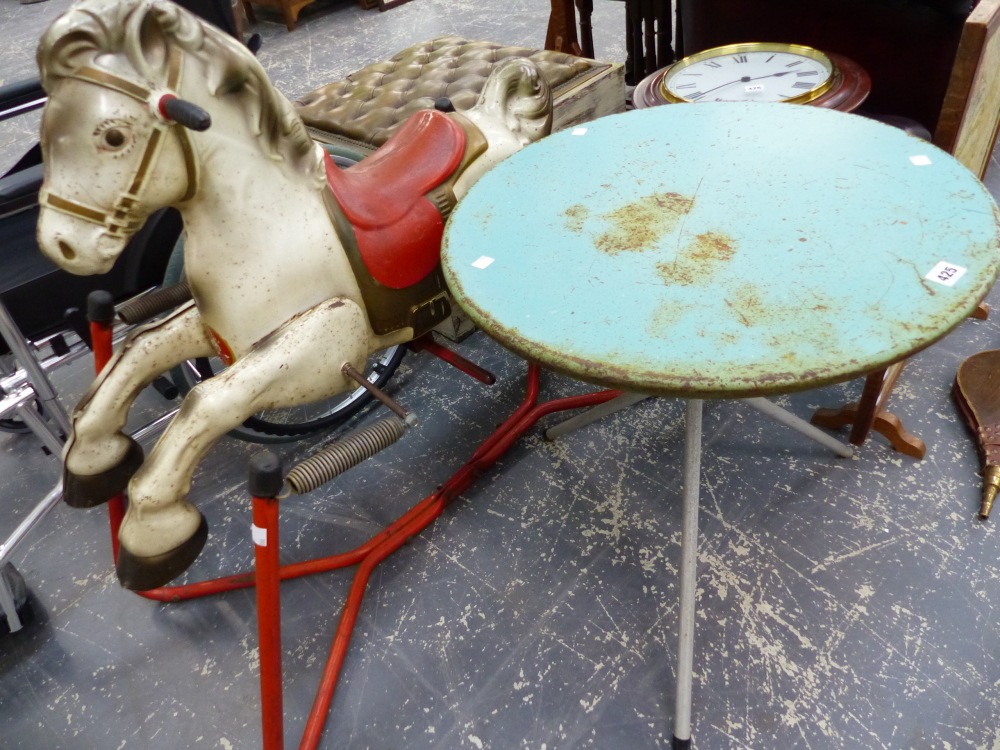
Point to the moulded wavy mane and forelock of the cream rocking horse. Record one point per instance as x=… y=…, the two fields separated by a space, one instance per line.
x=142 y=31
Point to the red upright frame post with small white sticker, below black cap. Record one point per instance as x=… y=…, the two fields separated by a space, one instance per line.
x=265 y=521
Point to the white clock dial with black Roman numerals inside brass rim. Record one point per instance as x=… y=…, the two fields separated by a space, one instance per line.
x=748 y=76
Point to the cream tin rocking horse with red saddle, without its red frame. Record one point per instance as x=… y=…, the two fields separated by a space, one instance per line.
x=296 y=268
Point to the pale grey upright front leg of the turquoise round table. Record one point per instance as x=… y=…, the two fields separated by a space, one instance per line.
x=689 y=565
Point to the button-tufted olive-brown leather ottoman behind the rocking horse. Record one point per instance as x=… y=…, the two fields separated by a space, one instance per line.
x=364 y=109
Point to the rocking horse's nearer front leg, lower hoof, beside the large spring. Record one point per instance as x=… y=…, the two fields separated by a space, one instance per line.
x=161 y=533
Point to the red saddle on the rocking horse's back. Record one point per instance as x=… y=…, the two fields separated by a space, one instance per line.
x=398 y=230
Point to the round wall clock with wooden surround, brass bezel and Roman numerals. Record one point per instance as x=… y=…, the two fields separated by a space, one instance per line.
x=758 y=72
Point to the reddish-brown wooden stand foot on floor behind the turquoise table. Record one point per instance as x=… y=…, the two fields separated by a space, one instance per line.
x=869 y=414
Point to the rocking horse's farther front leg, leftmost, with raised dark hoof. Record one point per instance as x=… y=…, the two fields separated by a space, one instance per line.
x=99 y=458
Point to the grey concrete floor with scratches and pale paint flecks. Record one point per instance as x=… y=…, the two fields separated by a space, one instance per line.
x=842 y=603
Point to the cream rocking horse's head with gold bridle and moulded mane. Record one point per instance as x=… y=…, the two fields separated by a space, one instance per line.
x=129 y=82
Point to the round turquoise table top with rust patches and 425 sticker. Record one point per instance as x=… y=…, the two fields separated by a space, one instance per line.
x=723 y=249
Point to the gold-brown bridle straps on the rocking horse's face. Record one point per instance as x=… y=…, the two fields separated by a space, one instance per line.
x=119 y=222
